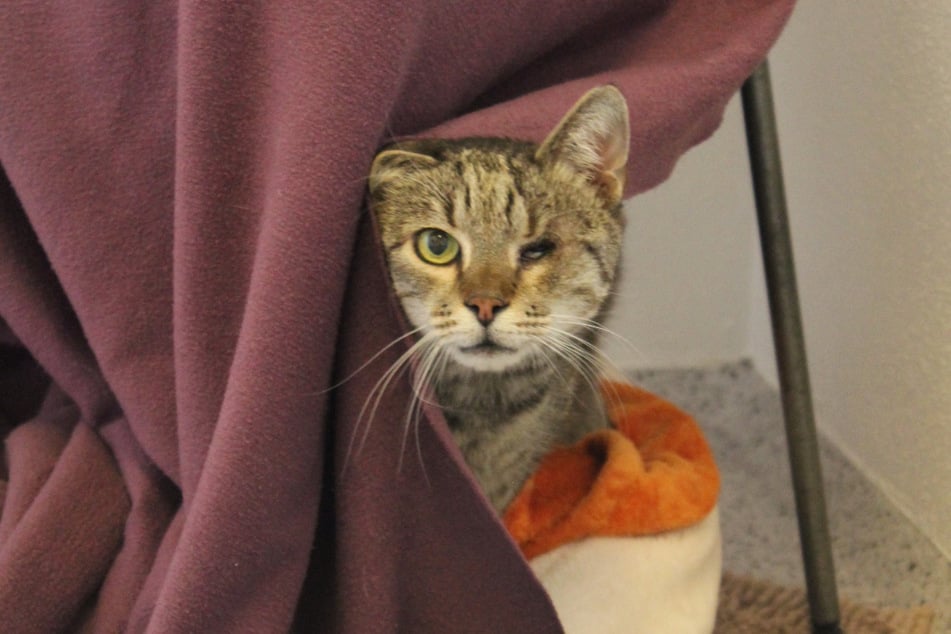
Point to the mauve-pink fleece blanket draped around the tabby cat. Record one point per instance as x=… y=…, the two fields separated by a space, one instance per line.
x=186 y=268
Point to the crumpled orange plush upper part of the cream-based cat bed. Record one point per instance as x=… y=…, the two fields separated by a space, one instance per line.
x=653 y=472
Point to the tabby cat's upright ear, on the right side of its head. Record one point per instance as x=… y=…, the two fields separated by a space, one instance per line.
x=593 y=139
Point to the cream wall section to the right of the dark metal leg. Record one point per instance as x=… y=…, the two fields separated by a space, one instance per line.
x=864 y=101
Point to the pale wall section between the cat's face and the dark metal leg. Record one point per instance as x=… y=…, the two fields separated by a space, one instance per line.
x=689 y=248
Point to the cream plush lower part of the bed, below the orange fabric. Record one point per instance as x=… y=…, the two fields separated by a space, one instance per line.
x=660 y=584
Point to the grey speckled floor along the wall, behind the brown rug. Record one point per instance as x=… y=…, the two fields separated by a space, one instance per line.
x=880 y=557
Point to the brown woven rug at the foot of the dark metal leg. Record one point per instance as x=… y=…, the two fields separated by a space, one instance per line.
x=751 y=606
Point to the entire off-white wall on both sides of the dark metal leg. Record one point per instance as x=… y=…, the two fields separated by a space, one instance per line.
x=863 y=94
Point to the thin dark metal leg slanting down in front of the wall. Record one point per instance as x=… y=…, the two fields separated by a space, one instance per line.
x=790 y=350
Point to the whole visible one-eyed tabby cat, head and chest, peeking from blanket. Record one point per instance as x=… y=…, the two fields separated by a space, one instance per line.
x=502 y=254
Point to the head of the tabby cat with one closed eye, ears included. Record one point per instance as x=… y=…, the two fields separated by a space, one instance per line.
x=501 y=250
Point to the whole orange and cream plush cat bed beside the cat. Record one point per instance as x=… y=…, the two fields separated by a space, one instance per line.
x=622 y=528
